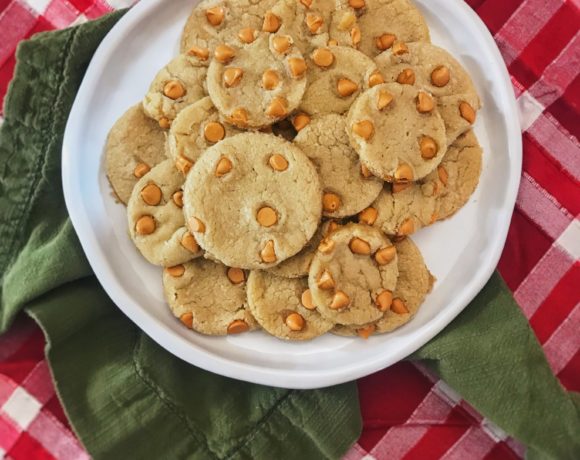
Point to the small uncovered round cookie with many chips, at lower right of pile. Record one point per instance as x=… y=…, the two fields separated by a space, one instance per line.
x=353 y=275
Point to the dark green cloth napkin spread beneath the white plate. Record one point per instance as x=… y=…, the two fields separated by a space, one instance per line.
x=128 y=398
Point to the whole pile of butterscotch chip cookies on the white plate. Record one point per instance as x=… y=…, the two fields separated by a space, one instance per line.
x=277 y=167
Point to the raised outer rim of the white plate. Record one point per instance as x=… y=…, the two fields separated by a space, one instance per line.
x=295 y=379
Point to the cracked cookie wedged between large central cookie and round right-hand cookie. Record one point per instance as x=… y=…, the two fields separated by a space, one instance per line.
x=346 y=191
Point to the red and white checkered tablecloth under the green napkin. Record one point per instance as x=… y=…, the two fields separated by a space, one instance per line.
x=420 y=416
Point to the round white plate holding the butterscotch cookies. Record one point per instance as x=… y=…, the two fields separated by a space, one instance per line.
x=462 y=252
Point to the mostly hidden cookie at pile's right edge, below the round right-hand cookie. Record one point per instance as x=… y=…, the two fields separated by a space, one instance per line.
x=457 y=176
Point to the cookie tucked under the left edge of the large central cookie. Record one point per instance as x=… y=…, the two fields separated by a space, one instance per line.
x=156 y=222
